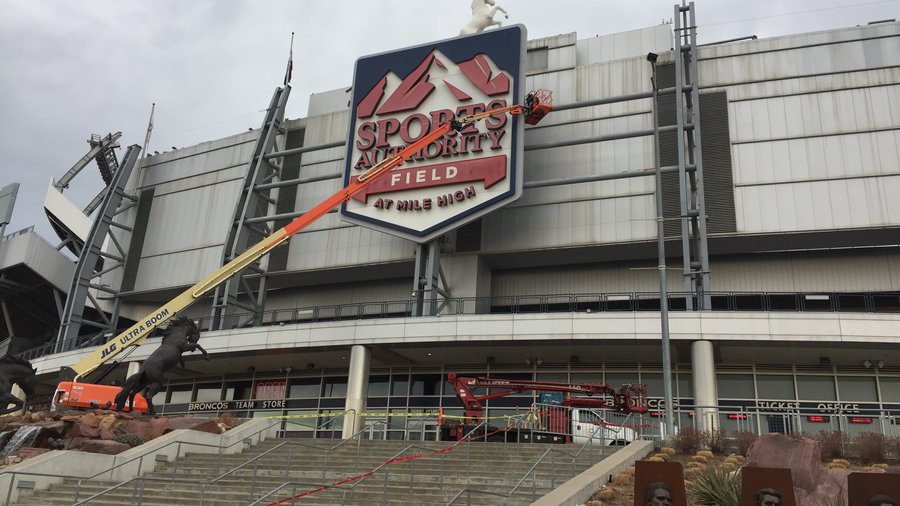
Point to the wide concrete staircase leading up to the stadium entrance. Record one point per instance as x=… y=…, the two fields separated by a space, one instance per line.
x=432 y=479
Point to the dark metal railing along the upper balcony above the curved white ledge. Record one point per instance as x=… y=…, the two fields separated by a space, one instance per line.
x=866 y=302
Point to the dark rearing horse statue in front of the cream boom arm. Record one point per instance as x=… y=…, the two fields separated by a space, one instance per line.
x=180 y=336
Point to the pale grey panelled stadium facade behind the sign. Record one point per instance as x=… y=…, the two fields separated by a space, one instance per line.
x=786 y=317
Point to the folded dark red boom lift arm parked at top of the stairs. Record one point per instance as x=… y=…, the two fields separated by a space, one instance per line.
x=631 y=398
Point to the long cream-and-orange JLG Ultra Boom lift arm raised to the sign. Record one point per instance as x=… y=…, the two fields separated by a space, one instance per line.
x=537 y=105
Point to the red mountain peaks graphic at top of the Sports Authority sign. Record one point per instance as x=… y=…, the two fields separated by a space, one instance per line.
x=416 y=86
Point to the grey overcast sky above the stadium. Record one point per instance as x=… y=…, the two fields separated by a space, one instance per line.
x=69 y=69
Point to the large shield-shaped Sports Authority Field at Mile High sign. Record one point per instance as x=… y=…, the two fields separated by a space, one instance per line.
x=399 y=97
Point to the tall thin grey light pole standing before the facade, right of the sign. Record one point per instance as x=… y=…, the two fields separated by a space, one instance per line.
x=669 y=412
